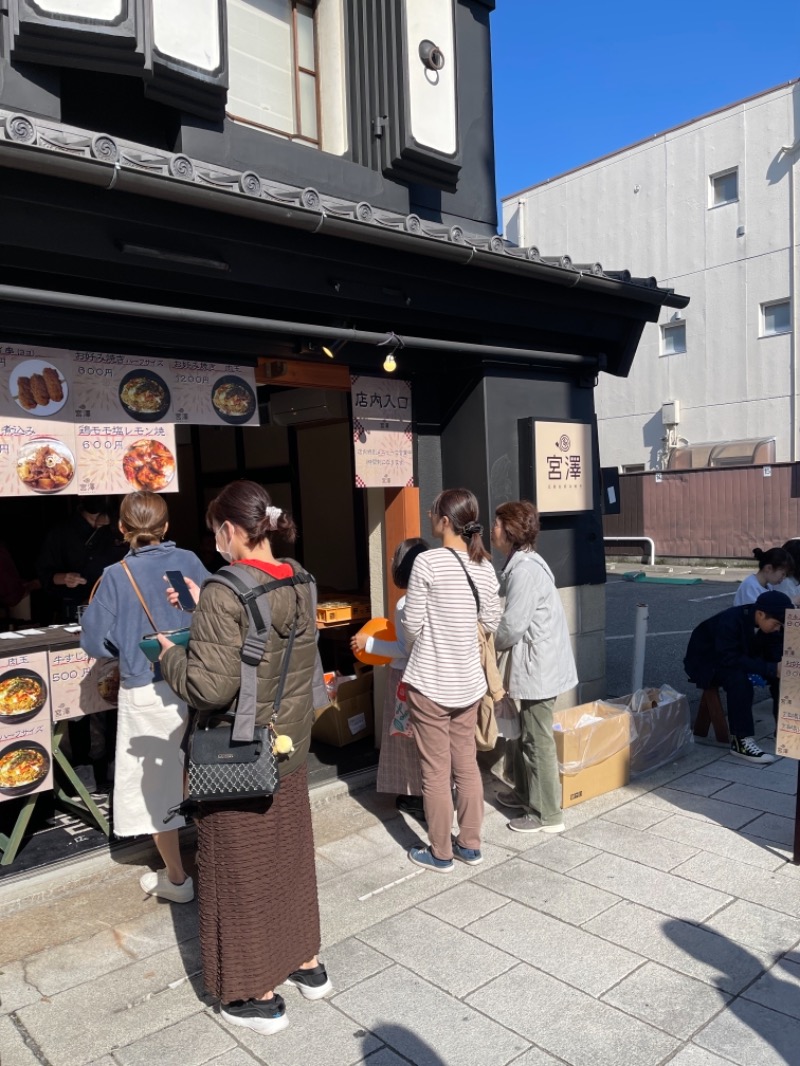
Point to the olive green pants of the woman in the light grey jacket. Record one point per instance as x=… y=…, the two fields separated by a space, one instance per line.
x=535 y=763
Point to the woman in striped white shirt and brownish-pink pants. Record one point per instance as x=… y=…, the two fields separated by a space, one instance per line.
x=451 y=590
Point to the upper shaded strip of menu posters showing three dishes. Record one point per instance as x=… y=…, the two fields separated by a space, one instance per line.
x=104 y=387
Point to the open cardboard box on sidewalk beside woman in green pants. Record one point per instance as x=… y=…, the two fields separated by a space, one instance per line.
x=595 y=760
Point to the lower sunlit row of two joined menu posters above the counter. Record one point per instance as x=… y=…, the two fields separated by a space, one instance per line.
x=61 y=459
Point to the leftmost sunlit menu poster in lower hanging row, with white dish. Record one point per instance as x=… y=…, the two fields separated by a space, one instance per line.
x=37 y=459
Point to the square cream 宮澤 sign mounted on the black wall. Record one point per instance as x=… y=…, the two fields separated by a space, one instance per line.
x=564 y=467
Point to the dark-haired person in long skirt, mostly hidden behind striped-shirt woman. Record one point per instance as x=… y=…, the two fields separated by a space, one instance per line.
x=398 y=764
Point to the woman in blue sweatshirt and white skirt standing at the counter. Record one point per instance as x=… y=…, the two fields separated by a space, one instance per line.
x=149 y=777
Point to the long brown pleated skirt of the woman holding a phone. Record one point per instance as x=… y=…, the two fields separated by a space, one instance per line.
x=258 y=892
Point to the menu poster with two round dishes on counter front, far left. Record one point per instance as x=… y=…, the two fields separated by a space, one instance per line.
x=26 y=749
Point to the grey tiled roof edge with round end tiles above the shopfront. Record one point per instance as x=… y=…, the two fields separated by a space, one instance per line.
x=49 y=147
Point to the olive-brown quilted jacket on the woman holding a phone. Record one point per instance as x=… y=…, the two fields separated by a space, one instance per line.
x=207 y=673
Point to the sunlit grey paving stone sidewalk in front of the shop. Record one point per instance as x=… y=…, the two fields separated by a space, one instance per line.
x=663 y=928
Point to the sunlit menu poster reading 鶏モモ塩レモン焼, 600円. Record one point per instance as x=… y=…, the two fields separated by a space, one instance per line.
x=121 y=459
